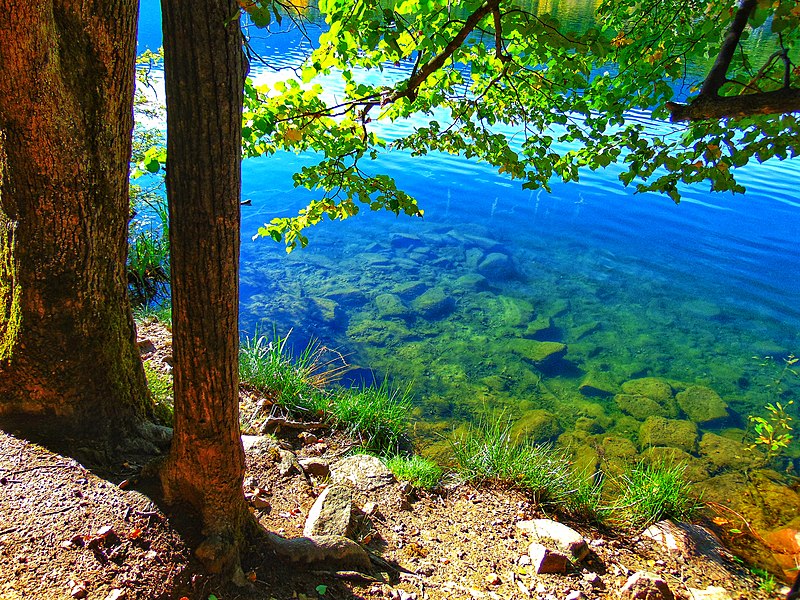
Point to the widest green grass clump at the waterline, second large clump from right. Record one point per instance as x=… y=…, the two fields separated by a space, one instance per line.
x=488 y=453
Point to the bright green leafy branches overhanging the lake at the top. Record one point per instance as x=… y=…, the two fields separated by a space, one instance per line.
x=500 y=82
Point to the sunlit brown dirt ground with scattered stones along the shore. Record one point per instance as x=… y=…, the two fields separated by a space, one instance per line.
x=70 y=528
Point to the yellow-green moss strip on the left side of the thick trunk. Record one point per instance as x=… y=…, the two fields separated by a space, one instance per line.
x=10 y=290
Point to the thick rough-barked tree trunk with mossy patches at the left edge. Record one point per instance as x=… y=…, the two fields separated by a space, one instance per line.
x=68 y=358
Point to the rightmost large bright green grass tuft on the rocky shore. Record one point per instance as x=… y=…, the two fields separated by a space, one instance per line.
x=652 y=492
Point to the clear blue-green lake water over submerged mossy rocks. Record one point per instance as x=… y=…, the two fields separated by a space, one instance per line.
x=702 y=293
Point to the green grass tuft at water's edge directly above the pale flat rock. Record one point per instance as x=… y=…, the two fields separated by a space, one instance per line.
x=377 y=416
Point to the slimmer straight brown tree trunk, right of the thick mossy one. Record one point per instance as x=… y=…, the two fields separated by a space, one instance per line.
x=204 y=78
